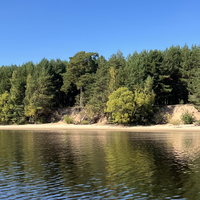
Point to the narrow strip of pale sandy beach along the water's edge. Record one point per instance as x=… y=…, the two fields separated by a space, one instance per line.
x=71 y=127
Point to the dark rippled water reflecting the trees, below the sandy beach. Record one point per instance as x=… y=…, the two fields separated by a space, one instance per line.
x=99 y=165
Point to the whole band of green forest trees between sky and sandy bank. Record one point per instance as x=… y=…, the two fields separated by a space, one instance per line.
x=125 y=89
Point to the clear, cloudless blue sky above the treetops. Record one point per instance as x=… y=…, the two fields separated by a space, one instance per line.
x=33 y=29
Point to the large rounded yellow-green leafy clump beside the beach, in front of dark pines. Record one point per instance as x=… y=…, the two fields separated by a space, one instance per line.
x=127 y=106
